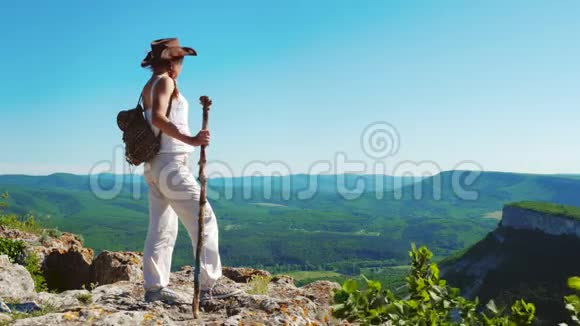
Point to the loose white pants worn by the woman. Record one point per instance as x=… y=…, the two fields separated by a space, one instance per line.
x=173 y=192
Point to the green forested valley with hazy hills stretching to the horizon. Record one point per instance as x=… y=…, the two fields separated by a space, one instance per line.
x=324 y=233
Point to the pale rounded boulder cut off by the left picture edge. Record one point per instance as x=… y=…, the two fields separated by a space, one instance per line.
x=16 y=284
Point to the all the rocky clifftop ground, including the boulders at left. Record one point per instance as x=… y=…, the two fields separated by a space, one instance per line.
x=121 y=301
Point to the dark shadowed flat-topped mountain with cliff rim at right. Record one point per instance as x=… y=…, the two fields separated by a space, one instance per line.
x=531 y=254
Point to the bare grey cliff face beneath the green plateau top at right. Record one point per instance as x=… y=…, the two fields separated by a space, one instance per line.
x=525 y=219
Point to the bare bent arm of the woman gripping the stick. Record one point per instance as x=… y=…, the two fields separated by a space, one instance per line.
x=161 y=95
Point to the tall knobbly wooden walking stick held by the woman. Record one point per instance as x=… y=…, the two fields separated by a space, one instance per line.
x=206 y=103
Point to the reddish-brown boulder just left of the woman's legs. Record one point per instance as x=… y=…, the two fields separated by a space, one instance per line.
x=110 y=267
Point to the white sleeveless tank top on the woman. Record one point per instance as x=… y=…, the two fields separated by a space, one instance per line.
x=179 y=117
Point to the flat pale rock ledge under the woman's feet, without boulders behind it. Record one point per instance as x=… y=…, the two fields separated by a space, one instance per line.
x=122 y=303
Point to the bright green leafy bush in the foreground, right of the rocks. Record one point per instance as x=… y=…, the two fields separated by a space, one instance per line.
x=430 y=302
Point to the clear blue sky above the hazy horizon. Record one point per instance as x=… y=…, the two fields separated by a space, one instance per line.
x=493 y=82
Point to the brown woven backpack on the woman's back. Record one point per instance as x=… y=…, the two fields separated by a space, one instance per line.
x=141 y=144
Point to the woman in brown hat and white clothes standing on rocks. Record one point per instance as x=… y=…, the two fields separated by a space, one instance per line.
x=173 y=191
